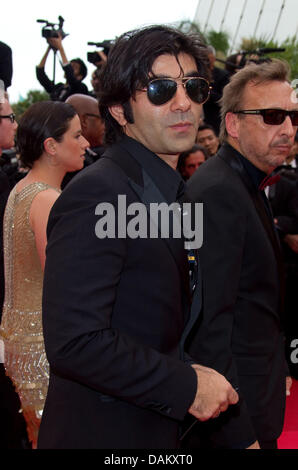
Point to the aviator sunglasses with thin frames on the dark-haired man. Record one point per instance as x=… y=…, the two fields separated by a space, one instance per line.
x=162 y=90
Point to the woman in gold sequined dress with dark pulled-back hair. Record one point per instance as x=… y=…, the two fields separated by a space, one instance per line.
x=50 y=144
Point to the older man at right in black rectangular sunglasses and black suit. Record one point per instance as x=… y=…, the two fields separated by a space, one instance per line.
x=241 y=334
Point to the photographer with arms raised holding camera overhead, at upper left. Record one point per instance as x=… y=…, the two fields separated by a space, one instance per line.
x=75 y=72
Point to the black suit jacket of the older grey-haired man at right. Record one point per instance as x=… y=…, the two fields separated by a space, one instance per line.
x=240 y=330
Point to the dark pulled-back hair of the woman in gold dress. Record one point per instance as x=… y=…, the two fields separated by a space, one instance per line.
x=42 y=120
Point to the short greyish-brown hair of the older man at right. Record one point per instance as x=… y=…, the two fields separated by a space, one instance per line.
x=275 y=70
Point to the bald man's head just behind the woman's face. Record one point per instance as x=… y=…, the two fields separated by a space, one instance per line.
x=92 y=125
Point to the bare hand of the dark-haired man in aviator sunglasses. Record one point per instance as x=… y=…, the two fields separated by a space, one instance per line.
x=214 y=394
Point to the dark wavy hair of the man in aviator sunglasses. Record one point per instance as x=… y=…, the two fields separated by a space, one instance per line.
x=129 y=67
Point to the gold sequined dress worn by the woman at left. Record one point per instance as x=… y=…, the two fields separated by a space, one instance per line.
x=21 y=328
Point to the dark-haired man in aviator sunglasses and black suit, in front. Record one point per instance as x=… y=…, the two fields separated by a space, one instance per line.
x=116 y=302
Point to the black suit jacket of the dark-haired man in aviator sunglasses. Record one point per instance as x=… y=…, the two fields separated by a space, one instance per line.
x=114 y=313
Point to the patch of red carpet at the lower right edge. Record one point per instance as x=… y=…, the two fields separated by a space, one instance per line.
x=289 y=437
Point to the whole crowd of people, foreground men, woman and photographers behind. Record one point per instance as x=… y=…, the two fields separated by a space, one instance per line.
x=118 y=339
